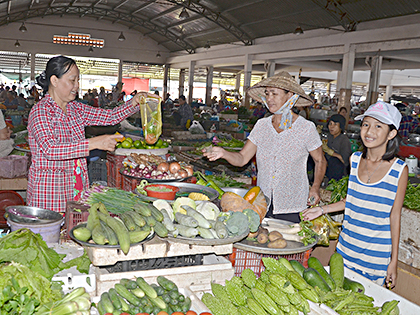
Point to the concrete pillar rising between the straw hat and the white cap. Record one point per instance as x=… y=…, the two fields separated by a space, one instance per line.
x=345 y=79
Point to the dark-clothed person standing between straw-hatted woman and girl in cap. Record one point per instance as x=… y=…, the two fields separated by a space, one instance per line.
x=337 y=148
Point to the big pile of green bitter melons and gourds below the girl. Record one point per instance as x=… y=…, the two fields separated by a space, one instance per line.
x=285 y=287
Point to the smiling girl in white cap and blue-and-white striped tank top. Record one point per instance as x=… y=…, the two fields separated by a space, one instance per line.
x=369 y=239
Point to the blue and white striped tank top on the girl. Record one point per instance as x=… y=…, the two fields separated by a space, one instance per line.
x=365 y=241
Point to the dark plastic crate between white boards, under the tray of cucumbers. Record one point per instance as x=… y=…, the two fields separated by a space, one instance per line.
x=156 y=263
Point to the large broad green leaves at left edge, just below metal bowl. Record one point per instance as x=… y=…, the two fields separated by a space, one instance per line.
x=29 y=249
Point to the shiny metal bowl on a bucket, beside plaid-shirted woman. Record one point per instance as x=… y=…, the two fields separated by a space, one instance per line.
x=34 y=215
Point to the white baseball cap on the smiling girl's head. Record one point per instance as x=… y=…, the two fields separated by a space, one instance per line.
x=384 y=112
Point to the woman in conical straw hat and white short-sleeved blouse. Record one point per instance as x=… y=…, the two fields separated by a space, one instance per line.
x=282 y=143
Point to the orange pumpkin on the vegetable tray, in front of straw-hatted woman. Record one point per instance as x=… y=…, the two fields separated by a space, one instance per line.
x=233 y=202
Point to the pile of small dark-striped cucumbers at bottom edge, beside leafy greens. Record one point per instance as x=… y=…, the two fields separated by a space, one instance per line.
x=137 y=296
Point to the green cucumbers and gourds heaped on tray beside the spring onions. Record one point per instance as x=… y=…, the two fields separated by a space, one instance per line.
x=131 y=227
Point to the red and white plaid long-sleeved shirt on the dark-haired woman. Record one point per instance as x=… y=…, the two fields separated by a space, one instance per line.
x=56 y=141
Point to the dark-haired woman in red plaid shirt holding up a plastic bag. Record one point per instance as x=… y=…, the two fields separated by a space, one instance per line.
x=56 y=130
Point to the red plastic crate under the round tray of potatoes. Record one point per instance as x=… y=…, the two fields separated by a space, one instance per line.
x=242 y=259
